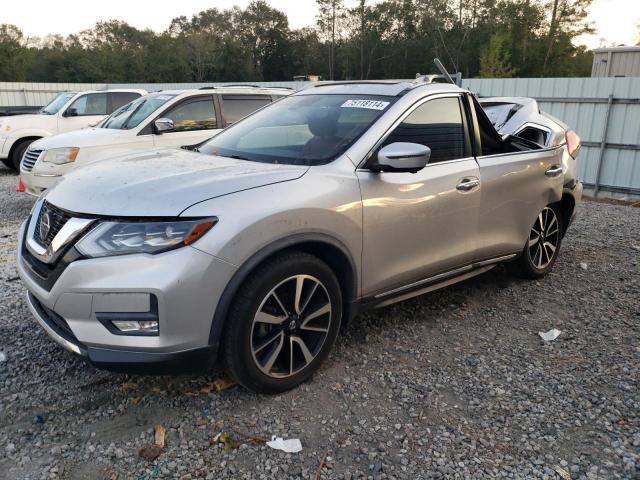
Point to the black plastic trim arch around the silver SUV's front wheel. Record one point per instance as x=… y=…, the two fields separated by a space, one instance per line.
x=330 y=250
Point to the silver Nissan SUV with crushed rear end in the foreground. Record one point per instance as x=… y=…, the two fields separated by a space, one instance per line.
x=252 y=252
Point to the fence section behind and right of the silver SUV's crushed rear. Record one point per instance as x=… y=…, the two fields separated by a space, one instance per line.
x=582 y=104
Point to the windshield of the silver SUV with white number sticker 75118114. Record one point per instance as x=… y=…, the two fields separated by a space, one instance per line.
x=302 y=130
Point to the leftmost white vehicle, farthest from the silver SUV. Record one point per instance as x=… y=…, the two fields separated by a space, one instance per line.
x=66 y=112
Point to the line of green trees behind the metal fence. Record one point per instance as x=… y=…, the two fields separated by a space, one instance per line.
x=386 y=39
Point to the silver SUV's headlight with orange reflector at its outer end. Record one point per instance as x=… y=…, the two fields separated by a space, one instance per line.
x=121 y=238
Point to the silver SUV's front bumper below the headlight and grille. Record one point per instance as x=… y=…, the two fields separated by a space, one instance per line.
x=186 y=283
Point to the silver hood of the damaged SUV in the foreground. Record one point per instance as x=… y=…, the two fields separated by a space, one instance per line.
x=161 y=183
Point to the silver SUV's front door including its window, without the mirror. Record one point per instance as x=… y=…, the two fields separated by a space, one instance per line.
x=418 y=225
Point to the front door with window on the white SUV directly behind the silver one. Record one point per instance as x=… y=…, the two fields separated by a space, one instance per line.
x=195 y=120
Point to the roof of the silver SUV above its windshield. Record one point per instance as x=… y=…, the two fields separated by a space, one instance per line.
x=390 y=88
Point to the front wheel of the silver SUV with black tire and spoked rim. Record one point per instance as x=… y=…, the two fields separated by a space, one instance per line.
x=283 y=323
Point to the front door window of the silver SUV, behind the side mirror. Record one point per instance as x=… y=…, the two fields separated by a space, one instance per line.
x=438 y=125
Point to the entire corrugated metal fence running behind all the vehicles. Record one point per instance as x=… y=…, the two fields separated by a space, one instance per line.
x=605 y=112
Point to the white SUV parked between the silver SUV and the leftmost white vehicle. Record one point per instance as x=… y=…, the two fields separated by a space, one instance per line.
x=164 y=119
